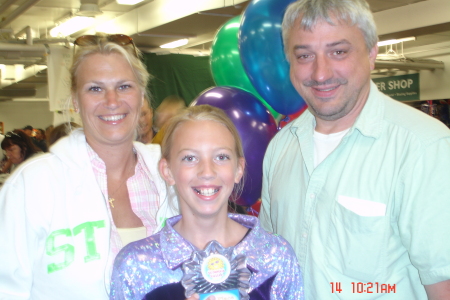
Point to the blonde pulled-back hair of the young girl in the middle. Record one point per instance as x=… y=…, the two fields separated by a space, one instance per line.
x=204 y=113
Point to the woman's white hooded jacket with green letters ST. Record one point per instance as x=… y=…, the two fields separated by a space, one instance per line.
x=55 y=228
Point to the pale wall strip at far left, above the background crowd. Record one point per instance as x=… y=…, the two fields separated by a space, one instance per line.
x=18 y=114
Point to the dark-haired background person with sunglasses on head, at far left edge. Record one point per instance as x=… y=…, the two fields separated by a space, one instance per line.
x=18 y=147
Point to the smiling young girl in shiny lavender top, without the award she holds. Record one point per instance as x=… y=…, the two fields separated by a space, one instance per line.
x=202 y=156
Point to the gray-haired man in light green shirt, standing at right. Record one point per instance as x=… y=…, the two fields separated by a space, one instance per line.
x=358 y=184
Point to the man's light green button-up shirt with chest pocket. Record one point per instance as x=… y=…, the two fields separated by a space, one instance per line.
x=373 y=219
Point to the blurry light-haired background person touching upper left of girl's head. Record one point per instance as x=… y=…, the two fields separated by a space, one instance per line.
x=168 y=108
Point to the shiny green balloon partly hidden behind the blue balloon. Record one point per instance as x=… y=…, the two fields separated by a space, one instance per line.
x=226 y=65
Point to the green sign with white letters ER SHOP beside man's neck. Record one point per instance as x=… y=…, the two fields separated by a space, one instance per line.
x=402 y=87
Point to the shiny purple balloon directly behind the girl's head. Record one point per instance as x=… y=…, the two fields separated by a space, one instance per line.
x=255 y=125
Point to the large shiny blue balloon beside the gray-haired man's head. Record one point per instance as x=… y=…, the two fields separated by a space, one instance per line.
x=262 y=55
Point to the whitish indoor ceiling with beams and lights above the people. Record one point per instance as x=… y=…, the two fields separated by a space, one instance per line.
x=25 y=26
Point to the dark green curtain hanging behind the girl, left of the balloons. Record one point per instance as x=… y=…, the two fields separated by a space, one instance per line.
x=177 y=74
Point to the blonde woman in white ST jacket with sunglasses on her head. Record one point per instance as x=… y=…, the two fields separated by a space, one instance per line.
x=100 y=191
